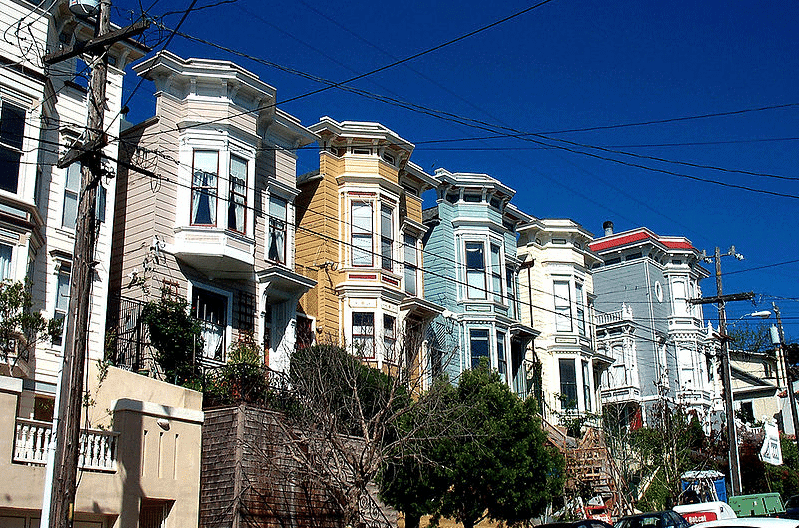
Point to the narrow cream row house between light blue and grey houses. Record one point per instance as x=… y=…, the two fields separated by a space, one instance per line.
x=557 y=292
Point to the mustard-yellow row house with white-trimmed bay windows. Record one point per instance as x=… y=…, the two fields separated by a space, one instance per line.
x=359 y=236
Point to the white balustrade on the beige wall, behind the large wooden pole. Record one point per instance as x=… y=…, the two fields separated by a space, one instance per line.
x=98 y=449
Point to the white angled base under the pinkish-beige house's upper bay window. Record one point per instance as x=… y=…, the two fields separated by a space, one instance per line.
x=217 y=252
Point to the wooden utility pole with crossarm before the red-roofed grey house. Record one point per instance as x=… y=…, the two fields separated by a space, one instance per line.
x=720 y=299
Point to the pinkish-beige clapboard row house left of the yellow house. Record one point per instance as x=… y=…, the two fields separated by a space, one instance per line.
x=212 y=221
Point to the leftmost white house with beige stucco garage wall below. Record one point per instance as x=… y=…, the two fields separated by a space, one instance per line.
x=43 y=112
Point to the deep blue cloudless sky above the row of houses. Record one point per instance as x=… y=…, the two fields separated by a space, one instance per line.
x=562 y=66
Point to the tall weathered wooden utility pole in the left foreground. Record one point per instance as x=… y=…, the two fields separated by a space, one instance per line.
x=70 y=398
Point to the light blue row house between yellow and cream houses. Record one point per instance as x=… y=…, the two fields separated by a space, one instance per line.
x=471 y=269
